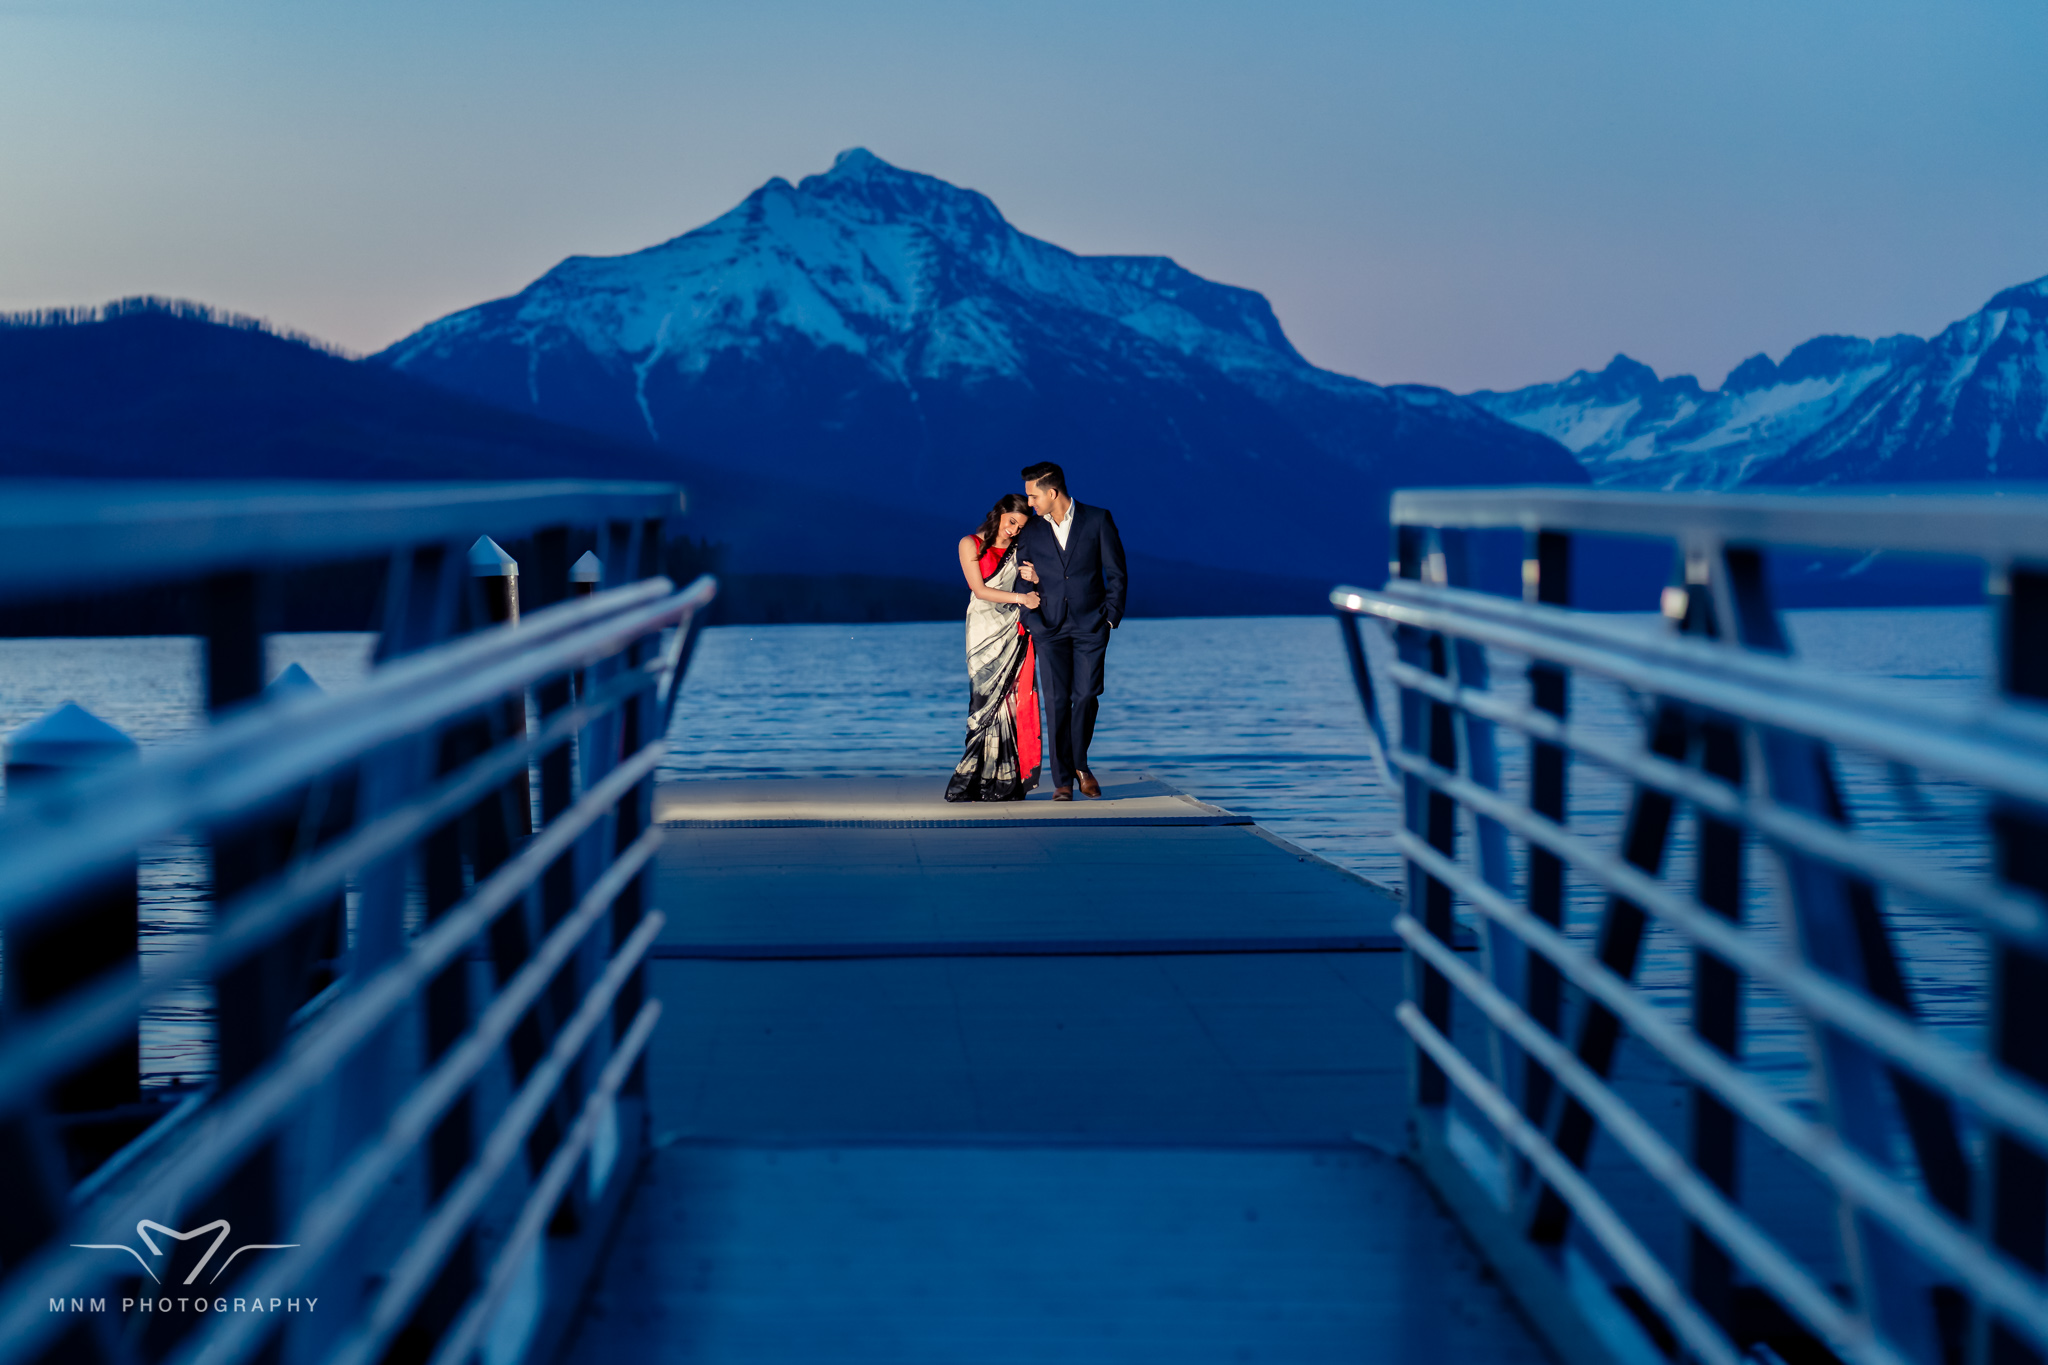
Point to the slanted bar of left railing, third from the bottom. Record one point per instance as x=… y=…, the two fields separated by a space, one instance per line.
x=351 y=1194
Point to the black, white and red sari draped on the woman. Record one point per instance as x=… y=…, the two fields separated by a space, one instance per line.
x=1002 y=695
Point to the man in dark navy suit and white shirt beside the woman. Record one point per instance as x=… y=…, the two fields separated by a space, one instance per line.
x=1080 y=568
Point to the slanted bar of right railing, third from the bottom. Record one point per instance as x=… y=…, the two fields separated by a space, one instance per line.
x=1930 y=1231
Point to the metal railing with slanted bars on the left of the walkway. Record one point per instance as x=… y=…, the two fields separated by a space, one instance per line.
x=427 y=938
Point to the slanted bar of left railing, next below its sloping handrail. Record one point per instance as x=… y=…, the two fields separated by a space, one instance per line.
x=97 y=1014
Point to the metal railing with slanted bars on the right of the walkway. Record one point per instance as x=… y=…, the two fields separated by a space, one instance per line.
x=1922 y=1159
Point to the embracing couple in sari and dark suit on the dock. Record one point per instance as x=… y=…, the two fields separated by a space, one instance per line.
x=1048 y=580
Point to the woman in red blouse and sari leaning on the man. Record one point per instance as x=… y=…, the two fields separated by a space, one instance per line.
x=1002 y=689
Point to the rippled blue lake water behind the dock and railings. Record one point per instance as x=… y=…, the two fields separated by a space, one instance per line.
x=1254 y=713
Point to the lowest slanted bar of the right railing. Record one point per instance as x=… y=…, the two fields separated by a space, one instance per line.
x=1594 y=1213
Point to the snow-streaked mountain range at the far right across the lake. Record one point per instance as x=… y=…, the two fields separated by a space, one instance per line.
x=1969 y=404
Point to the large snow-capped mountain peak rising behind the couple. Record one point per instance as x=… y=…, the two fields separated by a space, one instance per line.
x=886 y=331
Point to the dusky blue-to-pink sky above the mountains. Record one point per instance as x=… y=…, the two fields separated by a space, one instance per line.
x=1443 y=191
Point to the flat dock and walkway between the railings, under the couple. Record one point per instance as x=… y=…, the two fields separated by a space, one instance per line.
x=1097 y=1082
